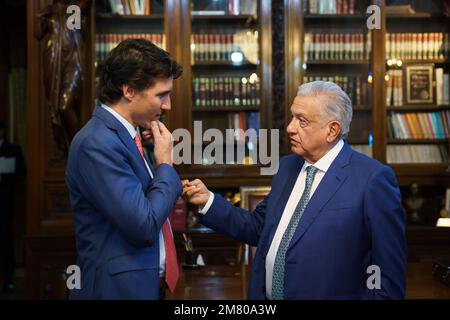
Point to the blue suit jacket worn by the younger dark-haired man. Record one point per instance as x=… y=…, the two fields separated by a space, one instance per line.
x=118 y=211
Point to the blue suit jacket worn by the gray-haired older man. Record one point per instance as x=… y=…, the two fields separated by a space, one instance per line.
x=353 y=220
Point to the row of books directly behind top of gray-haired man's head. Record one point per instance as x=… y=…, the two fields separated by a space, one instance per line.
x=354 y=85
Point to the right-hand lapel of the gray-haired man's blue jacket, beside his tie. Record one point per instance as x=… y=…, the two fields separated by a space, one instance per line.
x=331 y=182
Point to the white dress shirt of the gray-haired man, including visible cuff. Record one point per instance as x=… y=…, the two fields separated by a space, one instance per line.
x=323 y=164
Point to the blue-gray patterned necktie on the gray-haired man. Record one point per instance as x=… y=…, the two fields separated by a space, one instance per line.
x=278 y=268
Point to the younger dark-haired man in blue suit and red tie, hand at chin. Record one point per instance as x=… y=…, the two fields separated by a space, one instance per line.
x=120 y=203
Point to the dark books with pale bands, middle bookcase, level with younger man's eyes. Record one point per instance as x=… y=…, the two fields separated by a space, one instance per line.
x=226 y=91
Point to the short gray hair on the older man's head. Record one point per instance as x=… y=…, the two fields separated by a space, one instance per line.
x=336 y=102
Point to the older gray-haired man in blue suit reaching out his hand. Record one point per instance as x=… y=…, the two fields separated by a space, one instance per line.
x=332 y=226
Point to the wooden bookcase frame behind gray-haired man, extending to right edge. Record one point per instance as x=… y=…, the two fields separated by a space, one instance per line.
x=375 y=114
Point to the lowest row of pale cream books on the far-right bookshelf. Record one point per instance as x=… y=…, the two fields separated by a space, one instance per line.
x=417 y=153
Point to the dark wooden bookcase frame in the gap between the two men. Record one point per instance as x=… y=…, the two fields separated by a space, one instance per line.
x=216 y=116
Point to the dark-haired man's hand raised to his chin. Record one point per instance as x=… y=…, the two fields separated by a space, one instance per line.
x=163 y=143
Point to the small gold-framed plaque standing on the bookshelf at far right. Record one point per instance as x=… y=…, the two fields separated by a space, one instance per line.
x=419 y=84
